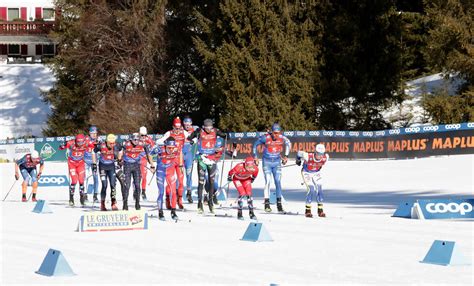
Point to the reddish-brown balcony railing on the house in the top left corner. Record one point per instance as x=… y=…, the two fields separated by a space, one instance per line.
x=26 y=28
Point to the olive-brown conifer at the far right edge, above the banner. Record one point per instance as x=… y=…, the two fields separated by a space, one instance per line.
x=450 y=50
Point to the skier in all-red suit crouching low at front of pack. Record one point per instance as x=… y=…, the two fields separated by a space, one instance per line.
x=243 y=175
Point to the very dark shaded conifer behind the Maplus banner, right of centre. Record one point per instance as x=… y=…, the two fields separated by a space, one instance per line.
x=362 y=67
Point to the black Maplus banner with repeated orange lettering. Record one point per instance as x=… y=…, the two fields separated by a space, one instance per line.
x=389 y=146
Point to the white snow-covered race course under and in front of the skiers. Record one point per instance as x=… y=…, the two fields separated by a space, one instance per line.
x=359 y=242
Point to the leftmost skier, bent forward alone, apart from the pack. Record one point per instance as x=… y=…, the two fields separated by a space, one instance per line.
x=26 y=165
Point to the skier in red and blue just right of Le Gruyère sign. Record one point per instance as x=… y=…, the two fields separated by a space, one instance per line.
x=166 y=161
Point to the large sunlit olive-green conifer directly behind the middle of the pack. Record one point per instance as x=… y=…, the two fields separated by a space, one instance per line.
x=264 y=64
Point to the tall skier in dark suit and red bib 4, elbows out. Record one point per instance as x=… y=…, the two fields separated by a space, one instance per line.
x=206 y=138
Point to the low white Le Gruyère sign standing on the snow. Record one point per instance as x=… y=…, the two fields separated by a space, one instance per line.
x=109 y=221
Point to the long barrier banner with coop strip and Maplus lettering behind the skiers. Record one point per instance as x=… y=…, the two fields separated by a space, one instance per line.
x=400 y=143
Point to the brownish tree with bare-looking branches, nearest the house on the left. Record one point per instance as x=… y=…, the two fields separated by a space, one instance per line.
x=109 y=66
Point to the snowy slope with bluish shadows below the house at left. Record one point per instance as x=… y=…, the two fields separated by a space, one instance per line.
x=22 y=112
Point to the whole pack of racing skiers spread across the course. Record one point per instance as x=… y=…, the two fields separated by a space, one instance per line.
x=175 y=153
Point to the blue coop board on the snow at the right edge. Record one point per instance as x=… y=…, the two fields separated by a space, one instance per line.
x=447 y=208
